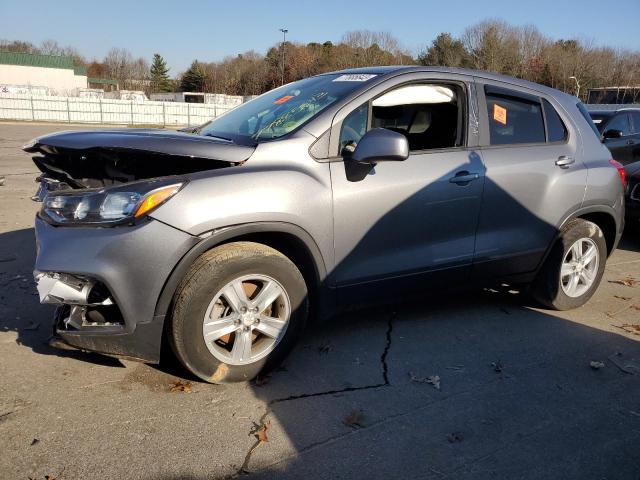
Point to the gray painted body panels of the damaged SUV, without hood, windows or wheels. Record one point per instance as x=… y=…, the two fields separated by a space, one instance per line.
x=400 y=220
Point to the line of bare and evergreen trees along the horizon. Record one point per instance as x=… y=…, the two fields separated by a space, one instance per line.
x=491 y=45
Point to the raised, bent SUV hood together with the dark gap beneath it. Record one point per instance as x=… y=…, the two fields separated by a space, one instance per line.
x=100 y=158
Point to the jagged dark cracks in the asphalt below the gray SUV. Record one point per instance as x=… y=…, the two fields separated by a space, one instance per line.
x=244 y=468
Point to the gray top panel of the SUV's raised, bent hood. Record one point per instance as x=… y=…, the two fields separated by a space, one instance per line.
x=151 y=140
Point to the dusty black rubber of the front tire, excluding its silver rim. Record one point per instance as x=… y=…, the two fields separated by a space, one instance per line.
x=209 y=274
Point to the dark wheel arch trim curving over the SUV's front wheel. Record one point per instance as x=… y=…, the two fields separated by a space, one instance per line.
x=291 y=240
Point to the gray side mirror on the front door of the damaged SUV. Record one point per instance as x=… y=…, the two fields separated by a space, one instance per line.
x=381 y=145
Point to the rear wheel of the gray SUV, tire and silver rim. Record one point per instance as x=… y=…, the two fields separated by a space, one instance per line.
x=573 y=270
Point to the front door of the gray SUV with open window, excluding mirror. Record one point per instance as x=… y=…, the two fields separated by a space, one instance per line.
x=405 y=224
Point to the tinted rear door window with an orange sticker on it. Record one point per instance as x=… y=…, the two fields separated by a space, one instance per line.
x=514 y=120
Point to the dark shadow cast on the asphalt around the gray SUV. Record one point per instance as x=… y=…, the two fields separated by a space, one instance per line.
x=358 y=398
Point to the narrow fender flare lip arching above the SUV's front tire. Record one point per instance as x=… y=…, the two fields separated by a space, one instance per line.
x=224 y=234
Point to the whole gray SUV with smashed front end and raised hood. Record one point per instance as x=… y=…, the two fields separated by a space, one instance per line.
x=340 y=189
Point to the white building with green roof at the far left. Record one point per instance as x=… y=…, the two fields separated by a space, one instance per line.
x=55 y=73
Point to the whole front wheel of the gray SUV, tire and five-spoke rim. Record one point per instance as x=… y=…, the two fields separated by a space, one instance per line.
x=238 y=311
